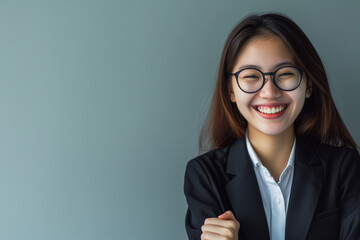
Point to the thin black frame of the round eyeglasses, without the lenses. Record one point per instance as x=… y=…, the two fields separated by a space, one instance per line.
x=272 y=74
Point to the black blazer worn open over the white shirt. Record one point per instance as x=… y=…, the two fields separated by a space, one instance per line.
x=324 y=201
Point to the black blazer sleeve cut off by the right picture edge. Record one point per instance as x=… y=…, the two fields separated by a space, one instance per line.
x=350 y=196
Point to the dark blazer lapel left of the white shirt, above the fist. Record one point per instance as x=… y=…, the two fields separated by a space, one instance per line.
x=244 y=194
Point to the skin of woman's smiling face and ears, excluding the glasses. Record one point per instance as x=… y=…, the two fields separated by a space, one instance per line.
x=267 y=53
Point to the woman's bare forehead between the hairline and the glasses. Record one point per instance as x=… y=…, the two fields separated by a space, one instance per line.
x=265 y=52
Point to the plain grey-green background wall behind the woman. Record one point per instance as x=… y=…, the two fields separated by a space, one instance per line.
x=101 y=103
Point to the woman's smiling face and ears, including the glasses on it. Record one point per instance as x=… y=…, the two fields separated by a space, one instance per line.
x=262 y=110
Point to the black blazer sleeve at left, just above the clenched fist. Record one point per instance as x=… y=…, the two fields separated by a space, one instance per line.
x=200 y=198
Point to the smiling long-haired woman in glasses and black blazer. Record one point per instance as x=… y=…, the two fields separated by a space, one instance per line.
x=282 y=164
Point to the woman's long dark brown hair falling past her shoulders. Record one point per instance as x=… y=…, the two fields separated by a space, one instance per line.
x=319 y=117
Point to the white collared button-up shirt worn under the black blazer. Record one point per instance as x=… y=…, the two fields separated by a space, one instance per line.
x=275 y=195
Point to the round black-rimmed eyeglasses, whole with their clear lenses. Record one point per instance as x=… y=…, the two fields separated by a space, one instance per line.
x=251 y=80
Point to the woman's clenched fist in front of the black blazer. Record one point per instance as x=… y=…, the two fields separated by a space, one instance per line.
x=224 y=227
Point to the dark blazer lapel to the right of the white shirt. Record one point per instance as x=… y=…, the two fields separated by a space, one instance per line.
x=305 y=190
